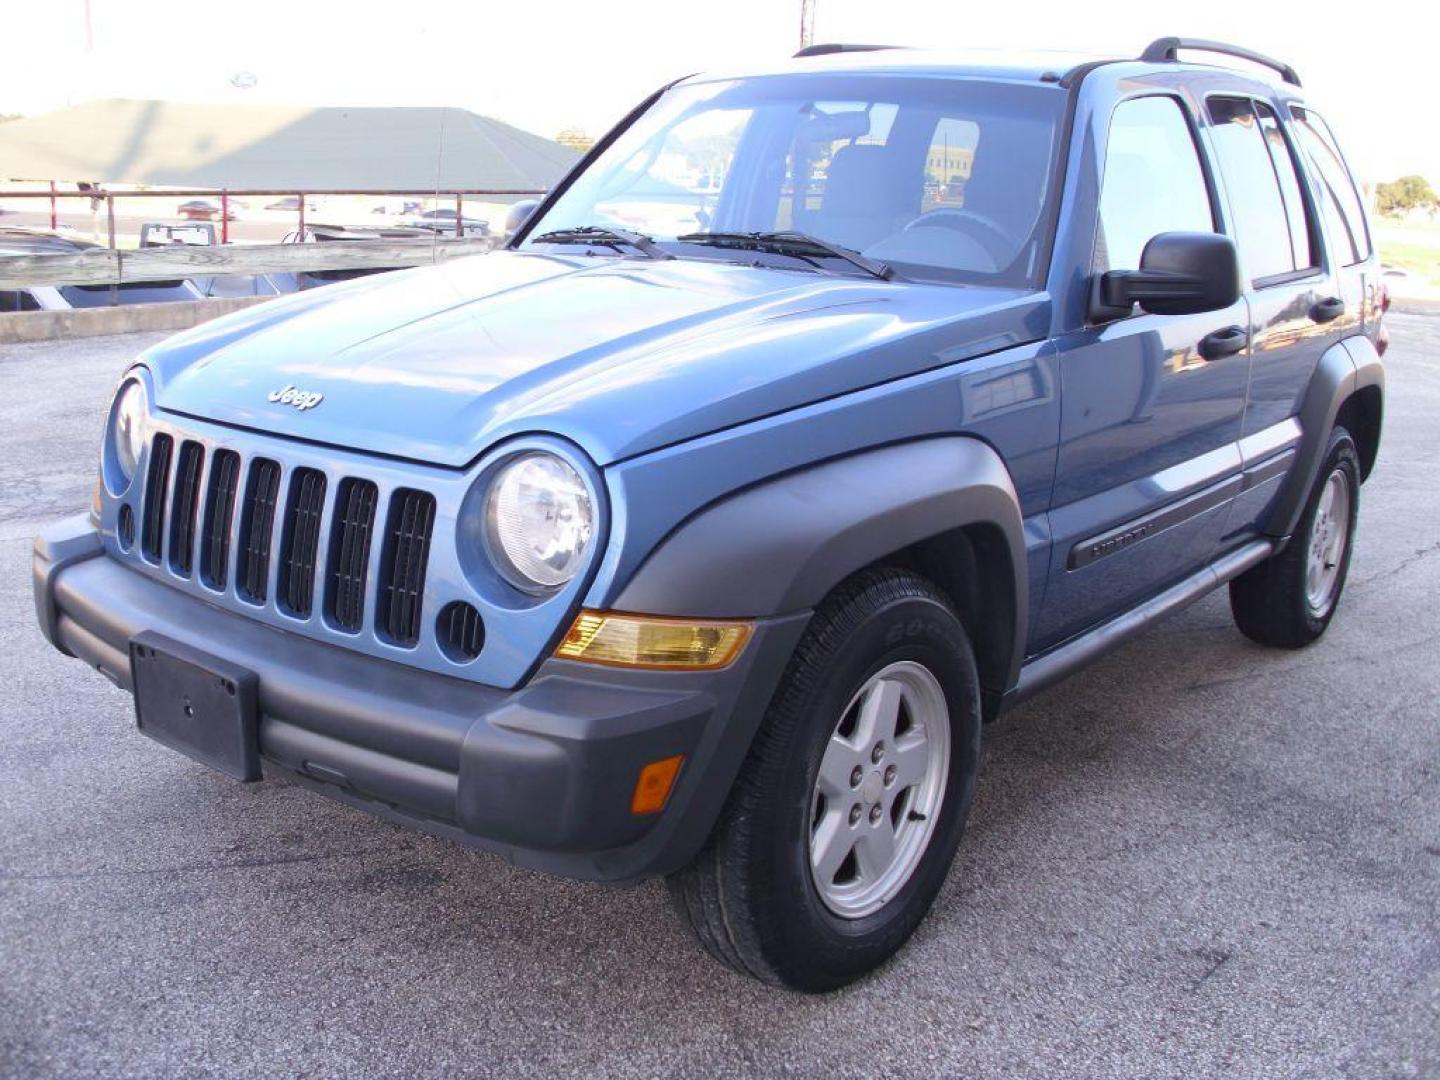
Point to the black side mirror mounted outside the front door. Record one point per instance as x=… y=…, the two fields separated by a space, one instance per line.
x=1182 y=274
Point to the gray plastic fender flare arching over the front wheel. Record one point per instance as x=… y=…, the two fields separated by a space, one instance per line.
x=783 y=545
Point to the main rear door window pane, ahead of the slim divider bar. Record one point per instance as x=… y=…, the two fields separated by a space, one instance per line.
x=1262 y=225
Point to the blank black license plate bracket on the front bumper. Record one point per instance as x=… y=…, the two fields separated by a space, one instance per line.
x=195 y=703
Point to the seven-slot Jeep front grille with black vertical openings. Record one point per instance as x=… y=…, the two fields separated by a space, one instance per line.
x=222 y=522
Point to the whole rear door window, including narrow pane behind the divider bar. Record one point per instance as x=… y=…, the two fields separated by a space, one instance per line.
x=1265 y=195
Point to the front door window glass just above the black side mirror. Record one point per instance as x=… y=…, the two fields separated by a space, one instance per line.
x=1153 y=182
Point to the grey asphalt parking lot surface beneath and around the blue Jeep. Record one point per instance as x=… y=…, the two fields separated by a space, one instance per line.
x=1197 y=859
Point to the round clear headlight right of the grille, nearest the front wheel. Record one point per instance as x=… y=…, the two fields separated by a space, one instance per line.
x=539 y=522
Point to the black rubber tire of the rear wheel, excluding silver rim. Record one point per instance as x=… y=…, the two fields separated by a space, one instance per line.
x=1271 y=601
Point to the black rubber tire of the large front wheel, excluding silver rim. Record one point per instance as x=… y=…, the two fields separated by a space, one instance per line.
x=751 y=898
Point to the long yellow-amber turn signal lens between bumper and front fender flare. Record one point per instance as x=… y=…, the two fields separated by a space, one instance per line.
x=643 y=642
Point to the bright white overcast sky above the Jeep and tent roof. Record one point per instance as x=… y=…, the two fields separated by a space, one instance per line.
x=558 y=64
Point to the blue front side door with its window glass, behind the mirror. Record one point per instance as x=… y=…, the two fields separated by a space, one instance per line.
x=1148 y=424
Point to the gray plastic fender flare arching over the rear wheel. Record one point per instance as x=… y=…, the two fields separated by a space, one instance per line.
x=1346 y=368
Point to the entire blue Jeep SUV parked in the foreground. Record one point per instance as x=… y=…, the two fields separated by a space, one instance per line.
x=819 y=417
